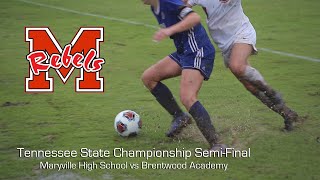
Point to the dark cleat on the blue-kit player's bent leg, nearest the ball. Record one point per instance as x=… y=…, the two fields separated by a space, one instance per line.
x=178 y=124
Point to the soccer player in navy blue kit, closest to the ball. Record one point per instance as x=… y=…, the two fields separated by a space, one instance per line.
x=193 y=60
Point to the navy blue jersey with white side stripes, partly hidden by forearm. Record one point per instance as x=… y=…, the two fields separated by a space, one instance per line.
x=169 y=12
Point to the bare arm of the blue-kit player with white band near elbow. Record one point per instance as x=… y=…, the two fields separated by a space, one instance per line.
x=189 y=20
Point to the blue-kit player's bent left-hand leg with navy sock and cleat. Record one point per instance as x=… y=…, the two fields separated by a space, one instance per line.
x=152 y=77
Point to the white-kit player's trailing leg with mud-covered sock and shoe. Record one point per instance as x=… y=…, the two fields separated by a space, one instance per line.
x=254 y=82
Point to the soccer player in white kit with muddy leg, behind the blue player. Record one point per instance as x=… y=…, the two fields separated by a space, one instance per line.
x=233 y=33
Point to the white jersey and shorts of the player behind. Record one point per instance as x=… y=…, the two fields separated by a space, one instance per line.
x=225 y=21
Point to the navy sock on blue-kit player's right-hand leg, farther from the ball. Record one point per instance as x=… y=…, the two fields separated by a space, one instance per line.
x=202 y=118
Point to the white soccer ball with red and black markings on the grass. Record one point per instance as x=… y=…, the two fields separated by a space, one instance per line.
x=127 y=123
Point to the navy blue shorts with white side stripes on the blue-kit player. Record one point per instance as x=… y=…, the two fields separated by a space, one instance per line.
x=202 y=60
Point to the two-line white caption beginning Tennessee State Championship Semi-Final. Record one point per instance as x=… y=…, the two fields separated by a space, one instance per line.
x=123 y=153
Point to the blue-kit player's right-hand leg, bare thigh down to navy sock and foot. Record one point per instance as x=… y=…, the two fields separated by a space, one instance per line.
x=191 y=81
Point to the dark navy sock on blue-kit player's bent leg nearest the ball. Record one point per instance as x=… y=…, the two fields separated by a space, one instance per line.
x=166 y=99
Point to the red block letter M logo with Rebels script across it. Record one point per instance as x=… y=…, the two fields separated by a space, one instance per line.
x=82 y=53
